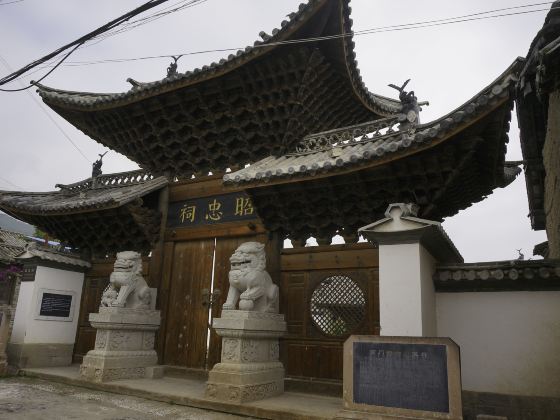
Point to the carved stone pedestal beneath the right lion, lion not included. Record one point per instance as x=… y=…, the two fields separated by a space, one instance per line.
x=249 y=368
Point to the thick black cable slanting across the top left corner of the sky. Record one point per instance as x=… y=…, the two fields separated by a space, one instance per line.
x=112 y=24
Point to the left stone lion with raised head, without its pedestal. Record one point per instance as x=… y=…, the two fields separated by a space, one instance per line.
x=127 y=288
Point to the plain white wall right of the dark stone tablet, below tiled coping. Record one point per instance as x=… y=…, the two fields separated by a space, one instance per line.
x=510 y=341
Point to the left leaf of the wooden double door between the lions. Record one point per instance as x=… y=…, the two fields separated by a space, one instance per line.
x=186 y=329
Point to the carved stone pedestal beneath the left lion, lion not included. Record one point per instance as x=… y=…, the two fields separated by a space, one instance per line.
x=124 y=344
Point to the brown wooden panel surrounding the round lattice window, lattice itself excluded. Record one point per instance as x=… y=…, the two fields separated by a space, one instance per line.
x=306 y=350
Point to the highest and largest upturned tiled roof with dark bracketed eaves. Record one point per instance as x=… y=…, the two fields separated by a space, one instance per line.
x=257 y=102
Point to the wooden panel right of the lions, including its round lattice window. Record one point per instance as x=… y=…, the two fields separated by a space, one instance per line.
x=327 y=293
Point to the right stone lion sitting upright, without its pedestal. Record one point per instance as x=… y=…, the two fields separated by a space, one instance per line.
x=249 y=283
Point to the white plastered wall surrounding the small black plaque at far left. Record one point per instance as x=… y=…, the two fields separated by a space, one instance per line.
x=27 y=329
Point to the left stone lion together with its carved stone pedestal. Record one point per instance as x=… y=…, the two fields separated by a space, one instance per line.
x=126 y=325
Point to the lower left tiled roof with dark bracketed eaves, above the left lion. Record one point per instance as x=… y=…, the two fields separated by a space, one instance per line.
x=102 y=216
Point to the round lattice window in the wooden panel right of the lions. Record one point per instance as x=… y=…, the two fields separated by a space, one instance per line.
x=338 y=306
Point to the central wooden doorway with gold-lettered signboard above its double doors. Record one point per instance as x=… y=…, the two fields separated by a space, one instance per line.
x=205 y=224
